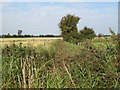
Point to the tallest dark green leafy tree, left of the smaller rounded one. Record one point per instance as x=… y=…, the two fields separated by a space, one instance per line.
x=68 y=26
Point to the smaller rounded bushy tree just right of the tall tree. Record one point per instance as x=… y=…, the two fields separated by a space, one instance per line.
x=87 y=33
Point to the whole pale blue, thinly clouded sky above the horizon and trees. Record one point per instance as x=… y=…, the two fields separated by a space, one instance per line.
x=43 y=17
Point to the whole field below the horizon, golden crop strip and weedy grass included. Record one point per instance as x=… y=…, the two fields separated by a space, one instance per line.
x=92 y=64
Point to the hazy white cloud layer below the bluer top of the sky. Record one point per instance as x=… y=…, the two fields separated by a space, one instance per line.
x=44 y=20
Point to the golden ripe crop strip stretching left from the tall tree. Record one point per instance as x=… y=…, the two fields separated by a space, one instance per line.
x=29 y=41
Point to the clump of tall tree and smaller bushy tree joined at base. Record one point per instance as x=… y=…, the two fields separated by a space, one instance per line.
x=69 y=30
